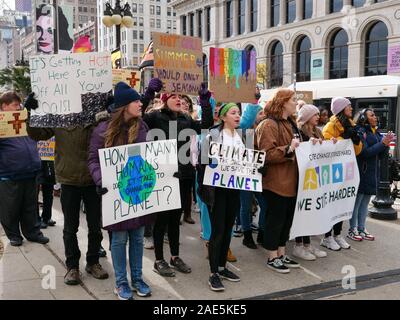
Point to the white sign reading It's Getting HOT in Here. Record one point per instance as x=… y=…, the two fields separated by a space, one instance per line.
x=59 y=80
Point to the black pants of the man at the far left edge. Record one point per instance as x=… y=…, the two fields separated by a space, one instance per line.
x=18 y=206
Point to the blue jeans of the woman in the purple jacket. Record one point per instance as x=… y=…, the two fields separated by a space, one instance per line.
x=118 y=253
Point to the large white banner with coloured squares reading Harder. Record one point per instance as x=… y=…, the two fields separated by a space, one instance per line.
x=328 y=185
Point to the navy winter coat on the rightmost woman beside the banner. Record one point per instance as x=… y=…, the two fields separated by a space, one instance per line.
x=368 y=159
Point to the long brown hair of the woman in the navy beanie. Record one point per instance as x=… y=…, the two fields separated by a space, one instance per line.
x=114 y=135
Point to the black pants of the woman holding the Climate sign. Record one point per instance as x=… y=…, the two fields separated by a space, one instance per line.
x=222 y=218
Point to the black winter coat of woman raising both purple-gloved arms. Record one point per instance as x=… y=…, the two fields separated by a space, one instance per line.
x=161 y=119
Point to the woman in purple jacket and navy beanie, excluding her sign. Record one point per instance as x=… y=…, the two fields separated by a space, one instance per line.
x=124 y=127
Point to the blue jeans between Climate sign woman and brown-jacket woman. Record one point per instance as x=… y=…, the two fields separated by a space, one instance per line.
x=246 y=198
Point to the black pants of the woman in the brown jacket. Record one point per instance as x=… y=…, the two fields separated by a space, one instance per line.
x=278 y=219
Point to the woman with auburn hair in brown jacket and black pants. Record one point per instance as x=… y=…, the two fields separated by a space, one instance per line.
x=278 y=136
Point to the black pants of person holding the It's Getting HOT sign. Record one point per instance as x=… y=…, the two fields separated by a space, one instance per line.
x=71 y=197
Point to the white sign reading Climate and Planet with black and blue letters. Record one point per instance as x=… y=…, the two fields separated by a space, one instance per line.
x=234 y=167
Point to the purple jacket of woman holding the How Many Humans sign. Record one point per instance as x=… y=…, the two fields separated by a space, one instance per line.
x=96 y=143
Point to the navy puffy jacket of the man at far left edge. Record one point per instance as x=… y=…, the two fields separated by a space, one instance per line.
x=19 y=158
